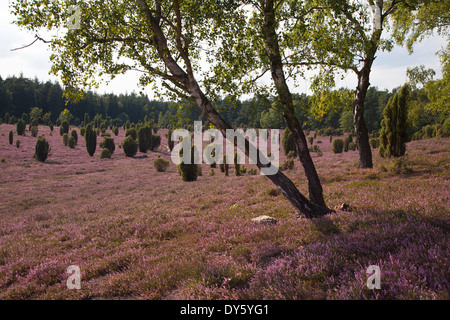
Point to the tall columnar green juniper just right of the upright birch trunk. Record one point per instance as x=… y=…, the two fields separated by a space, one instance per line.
x=394 y=126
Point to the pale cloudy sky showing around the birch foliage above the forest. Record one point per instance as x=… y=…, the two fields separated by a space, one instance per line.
x=388 y=71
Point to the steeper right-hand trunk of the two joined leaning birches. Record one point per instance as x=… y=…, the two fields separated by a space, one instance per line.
x=285 y=96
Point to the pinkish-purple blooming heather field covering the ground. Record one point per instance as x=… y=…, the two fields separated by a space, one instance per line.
x=139 y=234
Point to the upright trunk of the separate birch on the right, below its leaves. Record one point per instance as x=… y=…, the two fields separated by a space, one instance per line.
x=362 y=134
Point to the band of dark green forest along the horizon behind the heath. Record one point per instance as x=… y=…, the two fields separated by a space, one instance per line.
x=26 y=98
